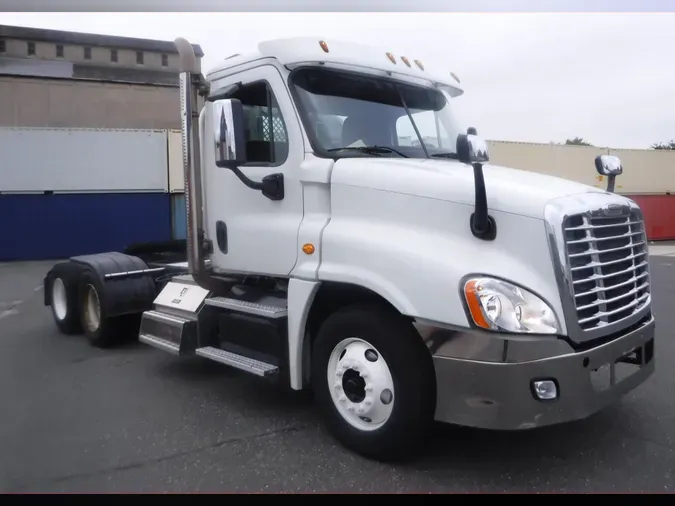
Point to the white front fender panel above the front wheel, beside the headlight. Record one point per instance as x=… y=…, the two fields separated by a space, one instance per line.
x=414 y=252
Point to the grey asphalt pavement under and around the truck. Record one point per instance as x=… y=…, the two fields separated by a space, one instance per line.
x=134 y=419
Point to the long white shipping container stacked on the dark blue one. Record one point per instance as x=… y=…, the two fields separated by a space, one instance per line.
x=83 y=160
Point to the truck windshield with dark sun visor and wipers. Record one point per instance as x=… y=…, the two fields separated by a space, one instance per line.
x=351 y=114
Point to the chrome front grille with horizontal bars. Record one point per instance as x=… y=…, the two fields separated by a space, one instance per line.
x=607 y=258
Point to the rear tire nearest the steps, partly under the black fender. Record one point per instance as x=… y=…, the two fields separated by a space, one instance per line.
x=101 y=330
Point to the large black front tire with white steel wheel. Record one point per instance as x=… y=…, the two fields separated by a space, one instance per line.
x=374 y=381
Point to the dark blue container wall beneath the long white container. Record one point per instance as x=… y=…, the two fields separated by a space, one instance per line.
x=41 y=227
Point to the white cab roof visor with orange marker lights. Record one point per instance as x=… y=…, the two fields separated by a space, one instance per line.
x=299 y=51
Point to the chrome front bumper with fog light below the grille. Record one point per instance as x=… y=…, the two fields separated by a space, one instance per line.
x=499 y=395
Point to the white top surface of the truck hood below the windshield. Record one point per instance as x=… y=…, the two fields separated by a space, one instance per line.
x=508 y=190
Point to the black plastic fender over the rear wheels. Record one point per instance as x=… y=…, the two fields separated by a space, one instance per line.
x=128 y=284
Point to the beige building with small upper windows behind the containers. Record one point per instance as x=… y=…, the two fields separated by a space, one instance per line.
x=52 y=78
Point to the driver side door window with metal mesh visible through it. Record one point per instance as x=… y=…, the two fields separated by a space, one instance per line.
x=266 y=134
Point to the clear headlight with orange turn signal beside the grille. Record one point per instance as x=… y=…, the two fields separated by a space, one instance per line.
x=499 y=305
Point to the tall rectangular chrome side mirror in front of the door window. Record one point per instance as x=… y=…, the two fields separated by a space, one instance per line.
x=229 y=133
